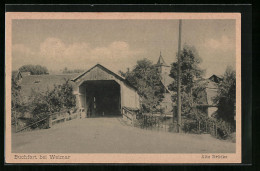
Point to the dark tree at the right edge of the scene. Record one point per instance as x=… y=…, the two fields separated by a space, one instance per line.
x=226 y=97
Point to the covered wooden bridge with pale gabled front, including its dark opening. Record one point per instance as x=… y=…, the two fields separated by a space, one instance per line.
x=101 y=92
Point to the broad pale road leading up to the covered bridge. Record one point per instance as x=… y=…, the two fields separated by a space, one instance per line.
x=111 y=135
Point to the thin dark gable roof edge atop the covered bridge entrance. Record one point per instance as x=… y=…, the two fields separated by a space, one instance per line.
x=106 y=70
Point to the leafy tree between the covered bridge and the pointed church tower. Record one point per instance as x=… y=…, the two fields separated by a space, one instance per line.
x=146 y=78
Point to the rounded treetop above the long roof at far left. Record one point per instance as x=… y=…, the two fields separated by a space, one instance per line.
x=34 y=69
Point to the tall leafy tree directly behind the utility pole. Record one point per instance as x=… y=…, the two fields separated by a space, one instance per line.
x=190 y=72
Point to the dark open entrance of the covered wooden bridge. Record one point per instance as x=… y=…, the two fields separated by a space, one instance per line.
x=103 y=98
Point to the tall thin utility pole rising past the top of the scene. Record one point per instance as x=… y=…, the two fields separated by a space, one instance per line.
x=179 y=80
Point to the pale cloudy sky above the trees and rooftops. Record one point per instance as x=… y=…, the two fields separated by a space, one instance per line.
x=118 y=44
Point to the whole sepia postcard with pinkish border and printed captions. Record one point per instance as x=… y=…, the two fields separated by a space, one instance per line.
x=123 y=88
